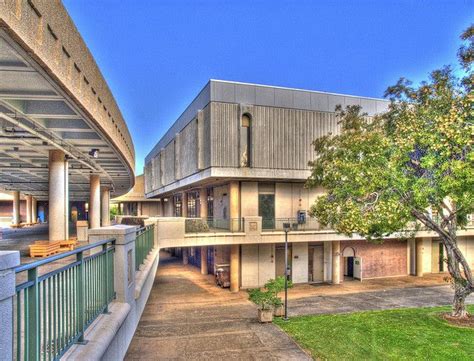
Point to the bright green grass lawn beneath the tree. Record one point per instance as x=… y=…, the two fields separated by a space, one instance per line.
x=403 y=334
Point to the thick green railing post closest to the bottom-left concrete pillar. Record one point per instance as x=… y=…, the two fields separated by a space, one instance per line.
x=33 y=334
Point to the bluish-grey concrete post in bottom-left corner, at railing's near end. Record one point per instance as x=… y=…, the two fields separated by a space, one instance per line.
x=8 y=261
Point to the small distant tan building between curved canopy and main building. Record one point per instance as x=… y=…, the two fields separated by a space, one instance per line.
x=134 y=203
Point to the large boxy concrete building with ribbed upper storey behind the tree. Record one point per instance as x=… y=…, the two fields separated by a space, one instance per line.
x=237 y=158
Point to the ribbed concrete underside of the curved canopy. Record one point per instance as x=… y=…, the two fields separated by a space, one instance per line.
x=35 y=117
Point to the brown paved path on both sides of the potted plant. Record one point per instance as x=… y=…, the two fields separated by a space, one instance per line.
x=188 y=318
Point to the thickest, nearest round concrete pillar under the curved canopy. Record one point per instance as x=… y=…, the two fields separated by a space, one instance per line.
x=58 y=196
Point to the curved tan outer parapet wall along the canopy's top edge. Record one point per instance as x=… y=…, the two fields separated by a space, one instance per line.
x=45 y=30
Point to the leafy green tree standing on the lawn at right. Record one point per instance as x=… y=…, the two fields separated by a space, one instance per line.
x=412 y=166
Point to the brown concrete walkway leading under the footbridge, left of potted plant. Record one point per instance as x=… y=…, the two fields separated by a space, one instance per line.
x=188 y=318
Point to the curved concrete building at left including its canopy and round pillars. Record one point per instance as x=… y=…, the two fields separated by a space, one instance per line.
x=63 y=138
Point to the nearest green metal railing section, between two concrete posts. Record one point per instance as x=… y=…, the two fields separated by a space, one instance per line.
x=54 y=309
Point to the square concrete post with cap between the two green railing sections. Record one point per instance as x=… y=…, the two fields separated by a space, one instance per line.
x=124 y=258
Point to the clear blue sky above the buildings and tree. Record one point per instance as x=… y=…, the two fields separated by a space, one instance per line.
x=157 y=54
